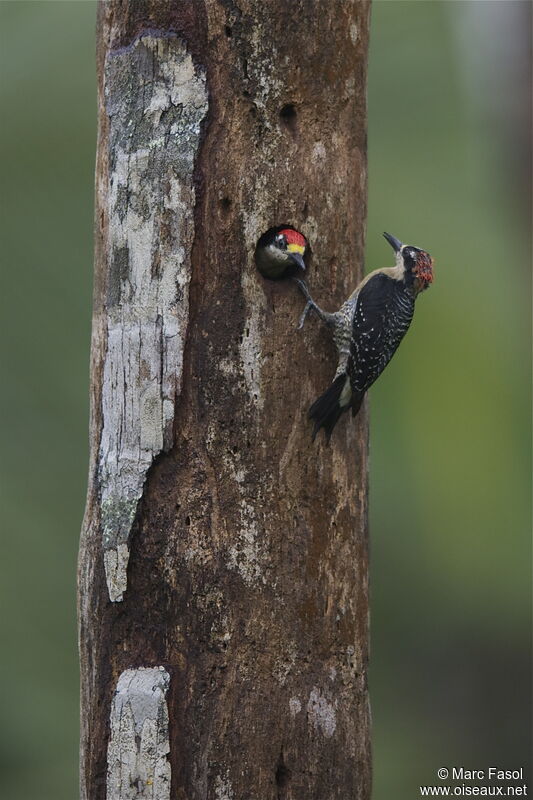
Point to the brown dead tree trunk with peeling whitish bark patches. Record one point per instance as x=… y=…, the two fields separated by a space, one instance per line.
x=223 y=562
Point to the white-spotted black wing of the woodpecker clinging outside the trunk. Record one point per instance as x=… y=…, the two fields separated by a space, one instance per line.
x=381 y=319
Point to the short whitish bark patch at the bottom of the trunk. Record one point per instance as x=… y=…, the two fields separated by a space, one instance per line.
x=137 y=754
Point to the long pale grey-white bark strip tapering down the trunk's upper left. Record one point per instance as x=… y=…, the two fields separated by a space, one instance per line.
x=156 y=99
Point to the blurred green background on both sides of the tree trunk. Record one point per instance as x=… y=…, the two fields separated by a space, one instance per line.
x=450 y=438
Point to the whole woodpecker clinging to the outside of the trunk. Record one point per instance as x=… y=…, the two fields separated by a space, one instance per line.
x=368 y=328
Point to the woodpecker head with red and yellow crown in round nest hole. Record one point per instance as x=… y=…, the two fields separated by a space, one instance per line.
x=280 y=251
